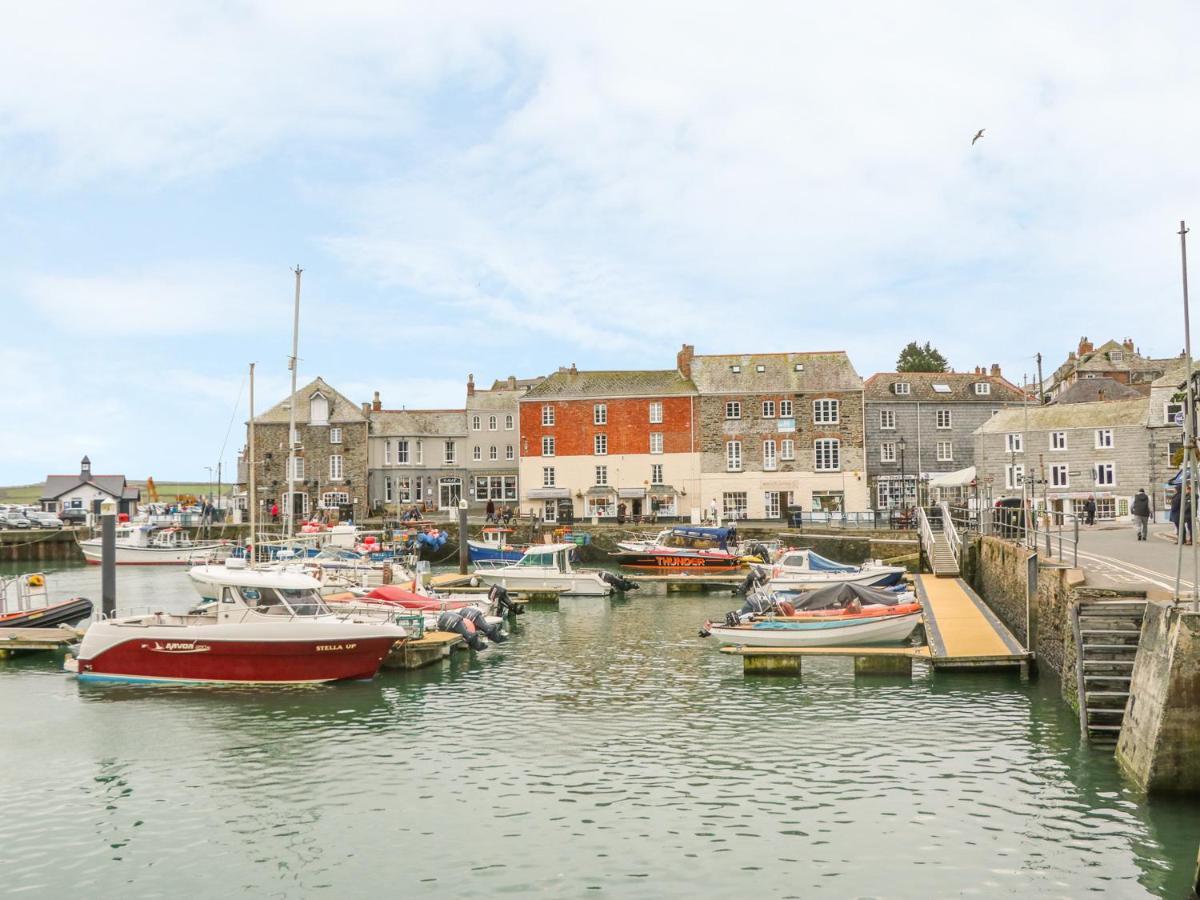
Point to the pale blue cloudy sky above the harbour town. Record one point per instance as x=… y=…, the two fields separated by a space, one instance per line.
x=503 y=189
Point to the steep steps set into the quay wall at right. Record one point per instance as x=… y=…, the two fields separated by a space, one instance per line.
x=1107 y=634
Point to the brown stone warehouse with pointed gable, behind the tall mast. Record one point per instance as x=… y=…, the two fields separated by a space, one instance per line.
x=331 y=476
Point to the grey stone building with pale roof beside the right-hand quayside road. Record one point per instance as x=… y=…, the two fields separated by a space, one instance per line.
x=1061 y=455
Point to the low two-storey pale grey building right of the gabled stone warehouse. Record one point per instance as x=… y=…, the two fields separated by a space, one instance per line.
x=417 y=458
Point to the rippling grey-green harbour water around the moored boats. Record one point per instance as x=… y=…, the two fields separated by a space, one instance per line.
x=604 y=749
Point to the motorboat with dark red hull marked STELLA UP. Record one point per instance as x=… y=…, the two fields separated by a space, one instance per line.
x=267 y=628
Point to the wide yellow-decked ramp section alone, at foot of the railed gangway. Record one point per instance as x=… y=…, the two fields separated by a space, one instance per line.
x=963 y=633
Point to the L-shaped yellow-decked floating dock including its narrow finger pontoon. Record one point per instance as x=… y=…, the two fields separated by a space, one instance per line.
x=963 y=634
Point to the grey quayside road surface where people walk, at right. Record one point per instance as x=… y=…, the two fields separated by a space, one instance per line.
x=1112 y=556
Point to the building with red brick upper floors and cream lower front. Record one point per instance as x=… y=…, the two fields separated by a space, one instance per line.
x=592 y=442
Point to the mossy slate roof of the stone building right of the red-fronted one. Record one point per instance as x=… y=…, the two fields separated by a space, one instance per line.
x=823 y=373
